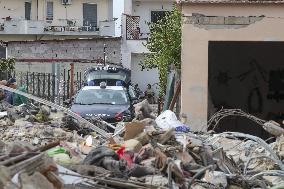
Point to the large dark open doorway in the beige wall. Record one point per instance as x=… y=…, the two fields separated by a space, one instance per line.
x=247 y=76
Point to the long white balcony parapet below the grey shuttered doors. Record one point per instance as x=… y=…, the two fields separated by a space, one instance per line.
x=56 y=27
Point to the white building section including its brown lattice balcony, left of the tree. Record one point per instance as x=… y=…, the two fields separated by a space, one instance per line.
x=135 y=31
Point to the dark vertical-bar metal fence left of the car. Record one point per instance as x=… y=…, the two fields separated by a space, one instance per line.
x=47 y=85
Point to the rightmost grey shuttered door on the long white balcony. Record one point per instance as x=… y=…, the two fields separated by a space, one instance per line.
x=90 y=16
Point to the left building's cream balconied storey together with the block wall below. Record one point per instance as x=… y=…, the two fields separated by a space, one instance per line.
x=39 y=31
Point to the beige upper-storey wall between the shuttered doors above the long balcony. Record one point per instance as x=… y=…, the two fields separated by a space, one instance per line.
x=16 y=10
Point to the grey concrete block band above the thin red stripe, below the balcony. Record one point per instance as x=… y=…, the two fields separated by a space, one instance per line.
x=66 y=49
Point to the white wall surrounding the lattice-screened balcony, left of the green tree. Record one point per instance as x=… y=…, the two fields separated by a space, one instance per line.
x=132 y=50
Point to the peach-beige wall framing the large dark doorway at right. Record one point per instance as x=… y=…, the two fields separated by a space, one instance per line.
x=195 y=49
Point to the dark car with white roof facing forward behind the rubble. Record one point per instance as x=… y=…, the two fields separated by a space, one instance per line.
x=111 y=103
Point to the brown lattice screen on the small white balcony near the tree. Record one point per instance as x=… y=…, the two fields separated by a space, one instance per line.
x=133 y=28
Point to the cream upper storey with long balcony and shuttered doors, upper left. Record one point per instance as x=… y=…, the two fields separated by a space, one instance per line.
x=50 y=18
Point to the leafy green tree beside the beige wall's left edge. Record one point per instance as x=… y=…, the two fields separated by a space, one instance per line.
x=164 y=43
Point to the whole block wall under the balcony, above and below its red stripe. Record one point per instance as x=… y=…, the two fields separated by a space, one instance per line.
x=38 y=56
